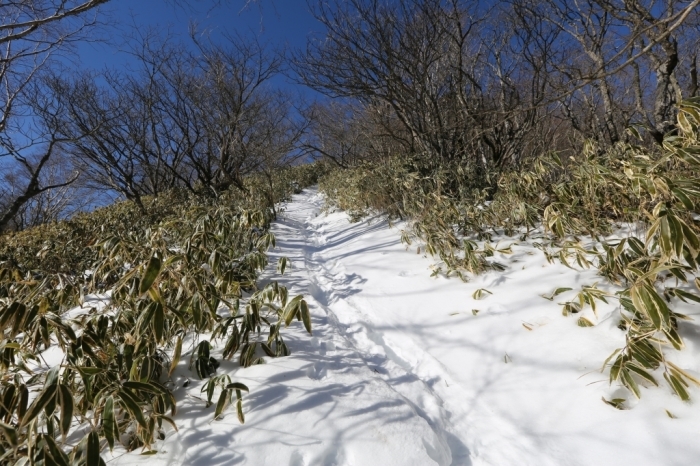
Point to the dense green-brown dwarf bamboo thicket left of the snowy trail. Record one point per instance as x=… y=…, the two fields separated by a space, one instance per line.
x=181 y=274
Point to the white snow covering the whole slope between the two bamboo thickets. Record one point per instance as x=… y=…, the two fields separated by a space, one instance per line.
x=401 y=371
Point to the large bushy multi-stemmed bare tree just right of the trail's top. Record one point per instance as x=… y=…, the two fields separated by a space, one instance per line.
x=449 y=75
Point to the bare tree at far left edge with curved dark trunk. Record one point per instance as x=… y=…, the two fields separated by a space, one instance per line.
x=31 y=33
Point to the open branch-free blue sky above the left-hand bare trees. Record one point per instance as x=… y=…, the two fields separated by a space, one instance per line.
x=278 y=23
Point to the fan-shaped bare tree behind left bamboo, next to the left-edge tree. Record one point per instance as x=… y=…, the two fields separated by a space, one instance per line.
x=113 y=132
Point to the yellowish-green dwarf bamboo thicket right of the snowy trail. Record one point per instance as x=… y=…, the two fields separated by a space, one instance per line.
x=589 y=194
